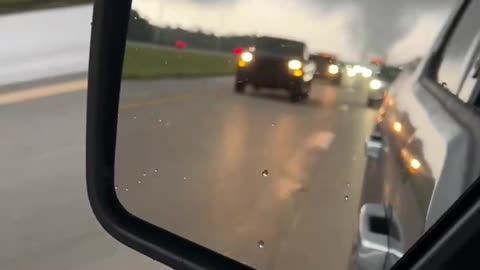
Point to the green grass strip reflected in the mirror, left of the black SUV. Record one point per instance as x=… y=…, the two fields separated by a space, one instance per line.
x=157 y=62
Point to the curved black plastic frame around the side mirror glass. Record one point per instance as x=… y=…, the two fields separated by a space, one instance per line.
x=108 y=38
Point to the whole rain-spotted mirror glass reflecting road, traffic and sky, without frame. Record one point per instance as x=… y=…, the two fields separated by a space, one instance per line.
x=269 y=130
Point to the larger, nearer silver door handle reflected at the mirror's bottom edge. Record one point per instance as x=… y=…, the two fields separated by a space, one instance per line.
x=373 y=243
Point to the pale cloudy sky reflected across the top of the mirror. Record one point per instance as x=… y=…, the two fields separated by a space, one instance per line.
x=352 y=29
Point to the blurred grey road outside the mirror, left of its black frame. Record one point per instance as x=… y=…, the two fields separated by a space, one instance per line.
x=46 y=221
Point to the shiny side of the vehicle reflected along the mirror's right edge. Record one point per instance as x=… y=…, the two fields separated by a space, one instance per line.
x=429 y=136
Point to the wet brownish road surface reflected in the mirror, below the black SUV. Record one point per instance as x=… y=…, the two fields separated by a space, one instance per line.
x=273 y=184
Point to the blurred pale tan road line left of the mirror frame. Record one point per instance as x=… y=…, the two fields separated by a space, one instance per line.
x=42 y=92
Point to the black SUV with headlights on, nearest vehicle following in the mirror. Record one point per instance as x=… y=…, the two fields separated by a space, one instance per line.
x=278 y=64
